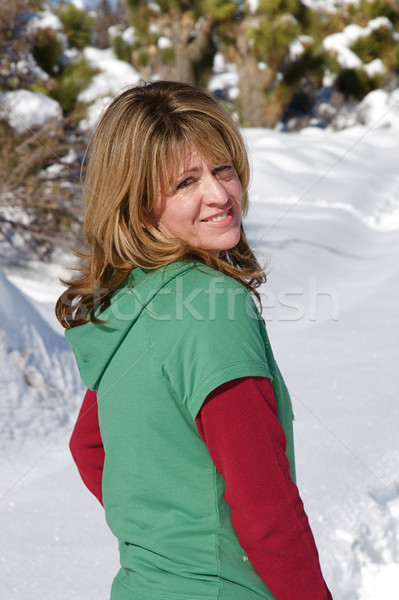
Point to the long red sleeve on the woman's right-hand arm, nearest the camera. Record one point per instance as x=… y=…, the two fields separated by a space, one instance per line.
x=239 y=424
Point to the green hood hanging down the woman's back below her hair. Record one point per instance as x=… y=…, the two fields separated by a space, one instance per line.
x=94 y=344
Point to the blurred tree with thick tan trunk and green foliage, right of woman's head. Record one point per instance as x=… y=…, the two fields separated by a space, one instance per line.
x=258 y=41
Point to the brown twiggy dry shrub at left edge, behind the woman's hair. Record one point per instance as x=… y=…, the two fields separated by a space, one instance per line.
x=40 y=206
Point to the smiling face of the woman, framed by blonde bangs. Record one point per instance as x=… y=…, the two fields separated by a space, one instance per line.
x=203 y=205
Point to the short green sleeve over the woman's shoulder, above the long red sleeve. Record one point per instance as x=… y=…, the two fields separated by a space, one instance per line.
x=206 y=331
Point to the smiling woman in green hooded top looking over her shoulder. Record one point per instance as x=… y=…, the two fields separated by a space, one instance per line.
x=192 y=452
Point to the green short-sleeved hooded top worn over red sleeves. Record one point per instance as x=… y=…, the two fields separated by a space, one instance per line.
x=169 y=338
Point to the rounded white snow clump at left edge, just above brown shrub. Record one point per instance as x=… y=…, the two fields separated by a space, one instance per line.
x=25 y=110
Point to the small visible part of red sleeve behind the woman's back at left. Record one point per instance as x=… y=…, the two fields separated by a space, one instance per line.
x=86 y=445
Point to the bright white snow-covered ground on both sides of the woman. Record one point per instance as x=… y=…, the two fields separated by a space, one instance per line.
x=325 y=213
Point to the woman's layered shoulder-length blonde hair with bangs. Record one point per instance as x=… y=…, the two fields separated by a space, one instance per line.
x=135 y=152
